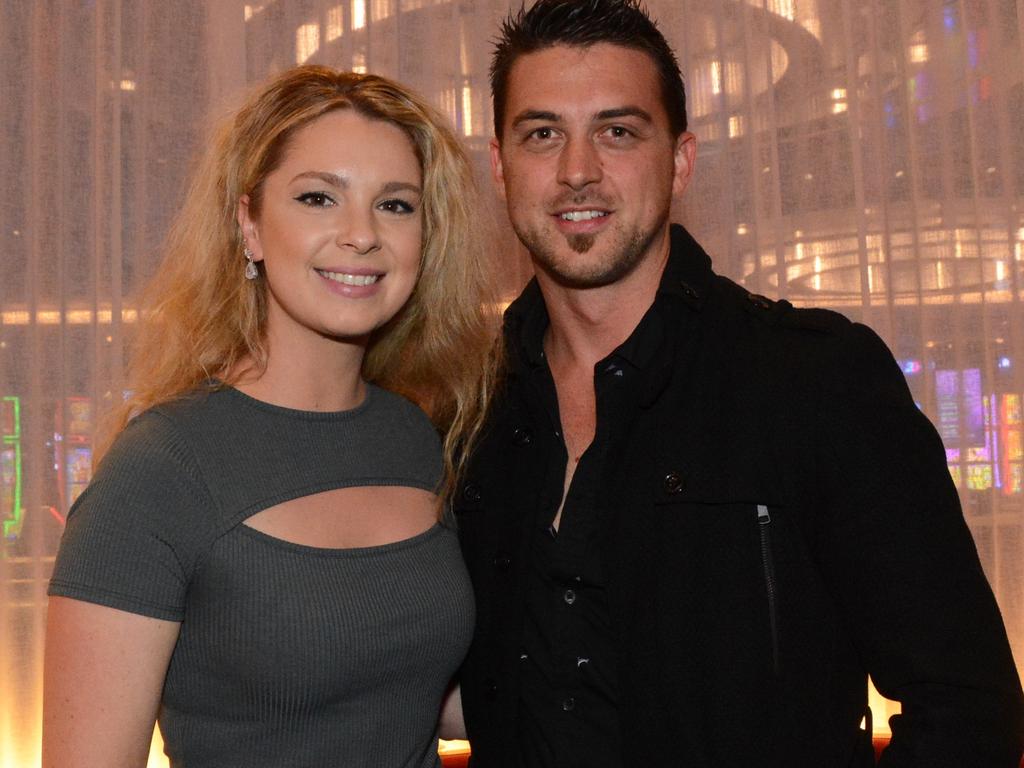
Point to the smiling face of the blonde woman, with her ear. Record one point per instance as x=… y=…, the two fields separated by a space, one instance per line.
x=339 y=230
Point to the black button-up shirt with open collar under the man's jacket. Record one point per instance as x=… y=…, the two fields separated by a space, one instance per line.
x=568 y=712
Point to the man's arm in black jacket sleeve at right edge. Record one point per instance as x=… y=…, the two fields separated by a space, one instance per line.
x=904 y=567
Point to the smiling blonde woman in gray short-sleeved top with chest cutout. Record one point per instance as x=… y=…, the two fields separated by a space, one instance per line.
x=259 y=558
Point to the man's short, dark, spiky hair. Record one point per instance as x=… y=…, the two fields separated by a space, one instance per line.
x=582 y=24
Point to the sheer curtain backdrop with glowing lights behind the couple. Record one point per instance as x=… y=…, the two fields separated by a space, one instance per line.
x=862 y=155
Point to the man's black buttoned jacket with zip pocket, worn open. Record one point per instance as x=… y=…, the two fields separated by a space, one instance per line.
x=783 y=524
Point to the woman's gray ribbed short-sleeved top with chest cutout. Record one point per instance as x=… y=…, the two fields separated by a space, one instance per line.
x=288 y=655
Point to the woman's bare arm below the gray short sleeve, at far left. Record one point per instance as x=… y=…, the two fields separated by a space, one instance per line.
x=103 y=677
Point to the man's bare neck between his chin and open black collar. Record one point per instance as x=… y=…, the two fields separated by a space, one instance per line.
x=586 y=325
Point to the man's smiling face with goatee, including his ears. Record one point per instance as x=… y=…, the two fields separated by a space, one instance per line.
x=588 y=164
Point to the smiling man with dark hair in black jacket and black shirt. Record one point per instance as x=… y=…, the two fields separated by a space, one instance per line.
x=698 y=520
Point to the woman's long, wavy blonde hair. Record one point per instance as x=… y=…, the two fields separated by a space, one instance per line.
x=204 y=322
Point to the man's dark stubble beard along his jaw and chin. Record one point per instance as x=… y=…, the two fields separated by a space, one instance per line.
x=627 y=250
